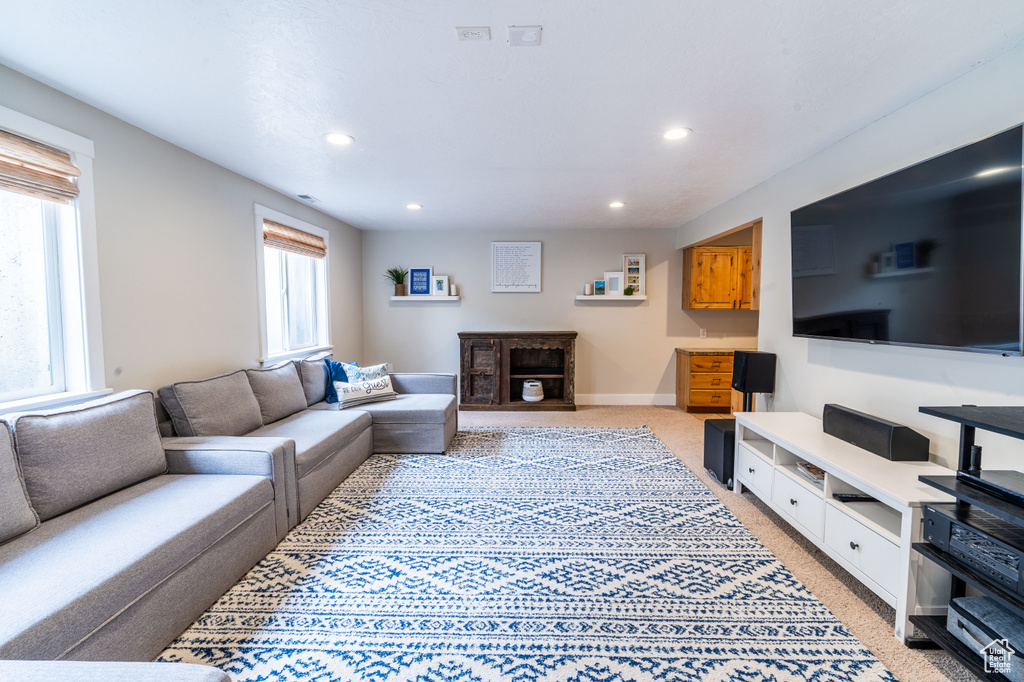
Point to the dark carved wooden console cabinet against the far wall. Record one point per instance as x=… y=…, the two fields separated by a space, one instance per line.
x=495 y=365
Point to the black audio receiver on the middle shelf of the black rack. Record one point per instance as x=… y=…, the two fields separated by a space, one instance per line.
x=993 y=547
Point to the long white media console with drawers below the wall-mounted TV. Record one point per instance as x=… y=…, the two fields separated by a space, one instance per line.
x=872 y=540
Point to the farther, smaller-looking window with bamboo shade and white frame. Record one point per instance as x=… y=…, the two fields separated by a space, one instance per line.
x=292 y=265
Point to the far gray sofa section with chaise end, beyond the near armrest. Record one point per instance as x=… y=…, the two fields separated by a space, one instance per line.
x=324 y=444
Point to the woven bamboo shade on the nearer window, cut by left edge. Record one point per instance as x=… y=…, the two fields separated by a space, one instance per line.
x=37 y=170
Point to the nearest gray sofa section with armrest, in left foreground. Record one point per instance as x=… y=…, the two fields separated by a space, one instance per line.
x=125 y=547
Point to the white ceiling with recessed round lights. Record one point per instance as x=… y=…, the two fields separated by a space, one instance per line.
x=486 y=136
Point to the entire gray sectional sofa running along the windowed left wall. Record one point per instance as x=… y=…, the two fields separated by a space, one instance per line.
x=116 y=532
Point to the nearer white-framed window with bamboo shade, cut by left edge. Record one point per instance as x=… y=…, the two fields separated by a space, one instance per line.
x=51 y=345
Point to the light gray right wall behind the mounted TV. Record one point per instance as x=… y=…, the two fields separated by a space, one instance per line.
x=891 y=382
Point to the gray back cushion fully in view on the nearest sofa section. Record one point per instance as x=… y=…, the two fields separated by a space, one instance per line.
x=75 y=455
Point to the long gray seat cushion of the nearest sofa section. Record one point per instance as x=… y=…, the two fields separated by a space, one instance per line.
x=64 y=580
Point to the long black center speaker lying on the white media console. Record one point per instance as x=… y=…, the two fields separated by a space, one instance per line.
x=885 y=439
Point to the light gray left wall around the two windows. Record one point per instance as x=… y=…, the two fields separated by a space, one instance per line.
x=178 y=250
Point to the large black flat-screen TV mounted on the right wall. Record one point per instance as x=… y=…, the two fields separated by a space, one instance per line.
x=927 y=257
